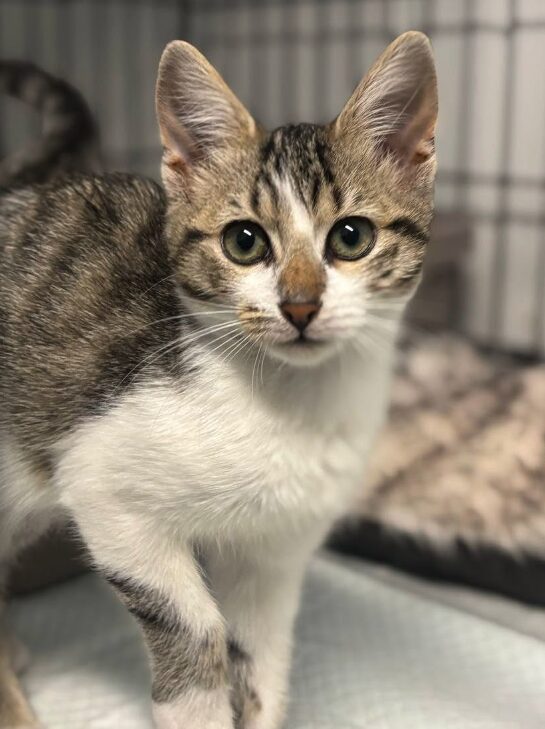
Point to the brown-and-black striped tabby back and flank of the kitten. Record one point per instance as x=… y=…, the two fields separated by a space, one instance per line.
x=84 y=277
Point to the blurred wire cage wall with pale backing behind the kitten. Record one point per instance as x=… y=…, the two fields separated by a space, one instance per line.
x=292 y=60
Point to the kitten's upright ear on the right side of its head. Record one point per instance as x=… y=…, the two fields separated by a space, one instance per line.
x=394 y=108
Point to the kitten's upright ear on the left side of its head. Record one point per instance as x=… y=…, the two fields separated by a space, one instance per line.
x=199 y=116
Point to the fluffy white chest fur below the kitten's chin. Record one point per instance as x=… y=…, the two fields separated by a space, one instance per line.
x=216 y=458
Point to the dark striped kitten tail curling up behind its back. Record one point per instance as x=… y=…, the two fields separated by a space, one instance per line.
x=69 y=139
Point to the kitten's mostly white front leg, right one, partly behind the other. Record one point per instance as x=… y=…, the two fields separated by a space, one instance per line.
x=259 y=599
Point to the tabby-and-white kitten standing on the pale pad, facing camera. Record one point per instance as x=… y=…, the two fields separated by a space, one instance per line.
x=194 y=376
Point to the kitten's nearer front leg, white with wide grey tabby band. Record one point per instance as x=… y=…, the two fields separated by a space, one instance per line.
x=158 y=579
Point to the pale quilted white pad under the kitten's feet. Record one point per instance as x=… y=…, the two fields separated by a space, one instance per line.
x=373 y=651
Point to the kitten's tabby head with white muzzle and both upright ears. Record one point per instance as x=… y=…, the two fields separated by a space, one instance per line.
x=310 y=238
